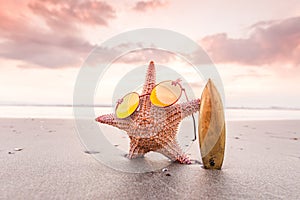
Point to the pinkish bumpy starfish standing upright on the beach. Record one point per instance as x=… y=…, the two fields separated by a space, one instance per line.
x=152 y=128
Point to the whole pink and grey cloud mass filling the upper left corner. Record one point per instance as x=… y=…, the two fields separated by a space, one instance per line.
x=47 y=33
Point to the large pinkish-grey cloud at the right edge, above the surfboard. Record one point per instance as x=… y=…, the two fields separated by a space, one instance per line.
x=269 y=42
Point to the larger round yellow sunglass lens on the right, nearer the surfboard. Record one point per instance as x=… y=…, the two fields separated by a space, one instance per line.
x=165 y=94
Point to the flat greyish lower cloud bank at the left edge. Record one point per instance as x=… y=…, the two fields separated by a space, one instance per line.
x=52 y=53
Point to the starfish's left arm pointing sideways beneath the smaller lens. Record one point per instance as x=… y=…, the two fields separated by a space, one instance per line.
x=112 y=120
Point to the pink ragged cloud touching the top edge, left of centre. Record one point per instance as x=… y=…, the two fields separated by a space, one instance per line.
x=65 y=14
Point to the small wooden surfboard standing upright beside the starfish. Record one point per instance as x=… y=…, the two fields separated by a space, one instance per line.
x=211 y=127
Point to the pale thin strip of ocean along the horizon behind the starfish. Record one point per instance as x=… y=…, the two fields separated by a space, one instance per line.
x=66 y=112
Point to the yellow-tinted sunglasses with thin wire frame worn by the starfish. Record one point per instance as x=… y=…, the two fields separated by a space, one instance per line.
x=164 y=94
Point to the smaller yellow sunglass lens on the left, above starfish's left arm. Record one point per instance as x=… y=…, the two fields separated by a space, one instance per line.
x=128 y=105
